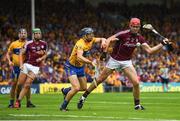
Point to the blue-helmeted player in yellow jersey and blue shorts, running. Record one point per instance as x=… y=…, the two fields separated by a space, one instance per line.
x=74 y=67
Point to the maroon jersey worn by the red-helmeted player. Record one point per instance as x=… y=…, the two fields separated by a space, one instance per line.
x=126 y=44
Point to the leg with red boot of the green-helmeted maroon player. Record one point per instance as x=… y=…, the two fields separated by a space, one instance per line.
x=30 y=77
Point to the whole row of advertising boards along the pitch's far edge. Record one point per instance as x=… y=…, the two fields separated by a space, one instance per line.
x=56 y=88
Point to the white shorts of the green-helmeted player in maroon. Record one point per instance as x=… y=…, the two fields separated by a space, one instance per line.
x=28 y=67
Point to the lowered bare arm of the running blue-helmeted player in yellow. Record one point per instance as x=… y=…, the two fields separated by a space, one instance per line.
x=82 y=58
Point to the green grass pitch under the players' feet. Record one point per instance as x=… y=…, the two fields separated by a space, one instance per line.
x=106 y=106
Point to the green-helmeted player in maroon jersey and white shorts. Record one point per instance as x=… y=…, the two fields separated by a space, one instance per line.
x=35 y=50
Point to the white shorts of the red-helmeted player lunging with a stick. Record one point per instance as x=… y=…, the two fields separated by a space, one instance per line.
x=118 y=65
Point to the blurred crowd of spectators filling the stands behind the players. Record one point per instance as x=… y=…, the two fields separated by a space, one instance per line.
x=61 y=21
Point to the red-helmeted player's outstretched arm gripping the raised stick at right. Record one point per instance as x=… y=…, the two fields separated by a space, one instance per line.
x=154 y=49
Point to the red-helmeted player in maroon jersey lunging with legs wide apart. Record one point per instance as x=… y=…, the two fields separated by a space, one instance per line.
x=125 y=43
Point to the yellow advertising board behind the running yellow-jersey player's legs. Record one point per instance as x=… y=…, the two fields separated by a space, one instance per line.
x=56 y=88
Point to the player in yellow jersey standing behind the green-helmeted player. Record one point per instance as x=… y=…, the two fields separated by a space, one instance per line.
x=14 y=49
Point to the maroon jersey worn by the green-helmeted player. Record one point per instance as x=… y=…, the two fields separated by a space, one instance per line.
x=35 y=50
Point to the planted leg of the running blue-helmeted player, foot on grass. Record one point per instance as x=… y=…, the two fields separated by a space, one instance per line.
x=74 y=89
